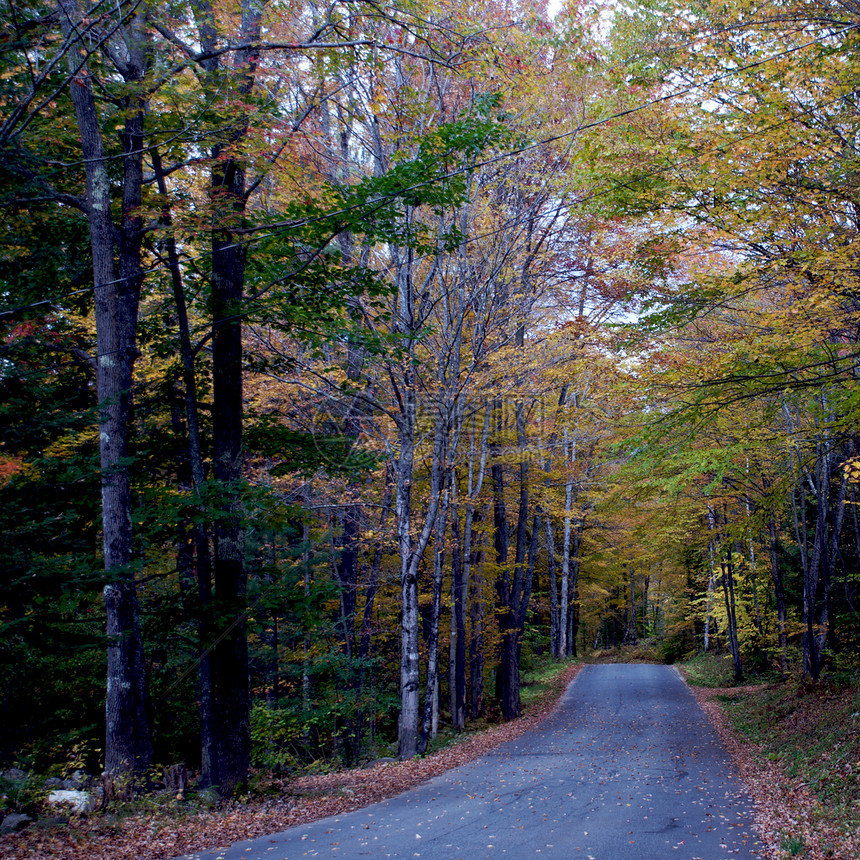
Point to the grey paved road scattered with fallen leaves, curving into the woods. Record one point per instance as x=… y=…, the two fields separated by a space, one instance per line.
x=628 y=767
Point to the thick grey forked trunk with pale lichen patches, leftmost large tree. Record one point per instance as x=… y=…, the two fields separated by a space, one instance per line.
x=128 y=745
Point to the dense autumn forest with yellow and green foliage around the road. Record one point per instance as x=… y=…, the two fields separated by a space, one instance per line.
x=357 y=356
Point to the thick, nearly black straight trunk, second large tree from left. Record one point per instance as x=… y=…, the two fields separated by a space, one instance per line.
x=227 y=198
